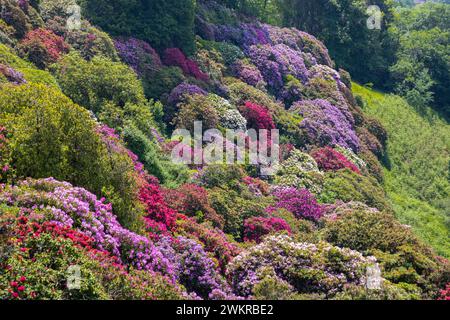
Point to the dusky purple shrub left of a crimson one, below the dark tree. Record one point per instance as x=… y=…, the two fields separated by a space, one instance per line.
x=139 y=55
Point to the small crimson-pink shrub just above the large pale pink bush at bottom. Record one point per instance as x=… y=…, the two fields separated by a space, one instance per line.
x=256 y=228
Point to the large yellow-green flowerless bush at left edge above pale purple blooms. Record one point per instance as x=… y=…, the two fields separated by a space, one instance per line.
x=53 y=137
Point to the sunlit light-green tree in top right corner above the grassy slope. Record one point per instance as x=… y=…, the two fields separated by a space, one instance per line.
x=422 y=67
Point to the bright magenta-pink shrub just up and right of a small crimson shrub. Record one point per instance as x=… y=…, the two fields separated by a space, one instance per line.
x=300 y=202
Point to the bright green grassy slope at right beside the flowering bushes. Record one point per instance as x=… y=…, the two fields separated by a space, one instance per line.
x=417 y=169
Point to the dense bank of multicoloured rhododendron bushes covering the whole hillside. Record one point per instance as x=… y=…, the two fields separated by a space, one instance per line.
x=92 y=205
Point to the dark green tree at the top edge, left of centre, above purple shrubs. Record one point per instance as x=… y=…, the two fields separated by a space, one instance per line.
x=162 y=23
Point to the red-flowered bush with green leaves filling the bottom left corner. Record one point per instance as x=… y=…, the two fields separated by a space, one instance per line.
x=40 y=256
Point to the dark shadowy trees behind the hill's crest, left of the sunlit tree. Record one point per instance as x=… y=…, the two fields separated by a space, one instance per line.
x=342 y=26
